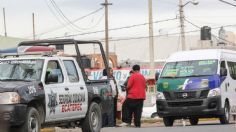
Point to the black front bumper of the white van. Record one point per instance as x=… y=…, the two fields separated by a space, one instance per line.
x=202 y=108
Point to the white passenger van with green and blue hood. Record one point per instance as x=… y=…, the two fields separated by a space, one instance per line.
x=198 y=84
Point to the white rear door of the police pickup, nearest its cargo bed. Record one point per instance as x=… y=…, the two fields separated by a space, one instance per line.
x=78 y=90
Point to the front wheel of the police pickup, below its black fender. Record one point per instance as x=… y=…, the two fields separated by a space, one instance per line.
x=31 y=124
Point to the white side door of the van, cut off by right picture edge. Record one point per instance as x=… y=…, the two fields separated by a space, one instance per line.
x=231 y=86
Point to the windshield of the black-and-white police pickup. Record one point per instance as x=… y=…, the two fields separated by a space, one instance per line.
x=21 y=70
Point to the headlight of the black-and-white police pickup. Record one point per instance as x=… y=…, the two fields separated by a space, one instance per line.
x=9 y=98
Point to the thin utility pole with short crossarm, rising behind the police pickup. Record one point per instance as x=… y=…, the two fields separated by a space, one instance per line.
x=106 y=4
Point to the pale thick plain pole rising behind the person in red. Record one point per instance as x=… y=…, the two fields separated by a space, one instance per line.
x=151 y=39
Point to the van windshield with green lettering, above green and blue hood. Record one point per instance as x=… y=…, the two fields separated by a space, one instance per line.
x=192 y=68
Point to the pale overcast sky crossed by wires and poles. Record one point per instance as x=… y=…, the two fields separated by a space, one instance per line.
x=49 y=23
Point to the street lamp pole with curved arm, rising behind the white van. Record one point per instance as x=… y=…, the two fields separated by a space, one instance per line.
x=181 y=12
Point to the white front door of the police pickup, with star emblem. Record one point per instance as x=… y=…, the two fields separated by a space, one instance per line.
x=55 y=87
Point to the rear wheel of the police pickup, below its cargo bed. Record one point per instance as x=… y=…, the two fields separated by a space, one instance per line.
x=93 y=119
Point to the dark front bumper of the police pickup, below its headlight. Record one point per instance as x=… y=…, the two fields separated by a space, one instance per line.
x=13 y=115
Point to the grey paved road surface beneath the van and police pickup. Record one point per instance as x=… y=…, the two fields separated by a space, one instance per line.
x=204 y=126
